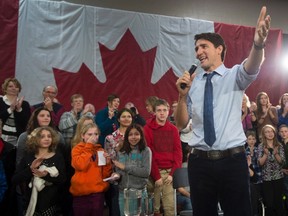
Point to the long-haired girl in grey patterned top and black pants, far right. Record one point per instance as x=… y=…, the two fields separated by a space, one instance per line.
x=271 y=157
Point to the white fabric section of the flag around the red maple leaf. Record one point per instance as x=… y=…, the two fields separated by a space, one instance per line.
x=63 y=35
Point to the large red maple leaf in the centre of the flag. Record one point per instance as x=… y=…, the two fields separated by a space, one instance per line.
x=128 y=74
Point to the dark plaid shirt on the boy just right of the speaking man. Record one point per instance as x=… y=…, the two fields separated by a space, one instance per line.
x=257 y=178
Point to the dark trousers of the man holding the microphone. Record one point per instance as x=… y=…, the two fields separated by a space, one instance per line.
x=225 y=180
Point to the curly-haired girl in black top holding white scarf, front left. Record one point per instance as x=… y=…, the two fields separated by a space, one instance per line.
x=43 y=170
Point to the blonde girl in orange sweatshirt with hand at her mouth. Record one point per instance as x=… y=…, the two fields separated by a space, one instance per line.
x=87 y=185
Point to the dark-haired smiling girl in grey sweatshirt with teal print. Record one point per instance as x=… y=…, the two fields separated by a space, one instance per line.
x=133 y=163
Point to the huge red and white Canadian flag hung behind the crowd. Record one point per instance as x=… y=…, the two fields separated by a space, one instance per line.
x=96 y=51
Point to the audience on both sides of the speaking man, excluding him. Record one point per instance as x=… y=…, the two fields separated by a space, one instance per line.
x=138 y=155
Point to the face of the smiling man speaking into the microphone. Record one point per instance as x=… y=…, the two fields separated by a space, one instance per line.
x=208 y=55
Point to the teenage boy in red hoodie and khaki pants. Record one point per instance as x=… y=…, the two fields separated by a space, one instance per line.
x=163 y=139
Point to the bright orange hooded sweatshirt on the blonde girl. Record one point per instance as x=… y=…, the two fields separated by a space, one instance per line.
x=88 y=176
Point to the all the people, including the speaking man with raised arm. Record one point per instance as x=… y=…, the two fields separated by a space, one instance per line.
x=58 y=162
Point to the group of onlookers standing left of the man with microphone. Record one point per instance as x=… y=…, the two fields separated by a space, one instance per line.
x=66 y=157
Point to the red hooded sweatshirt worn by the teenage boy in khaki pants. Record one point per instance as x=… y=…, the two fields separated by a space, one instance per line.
x=165 y=144
